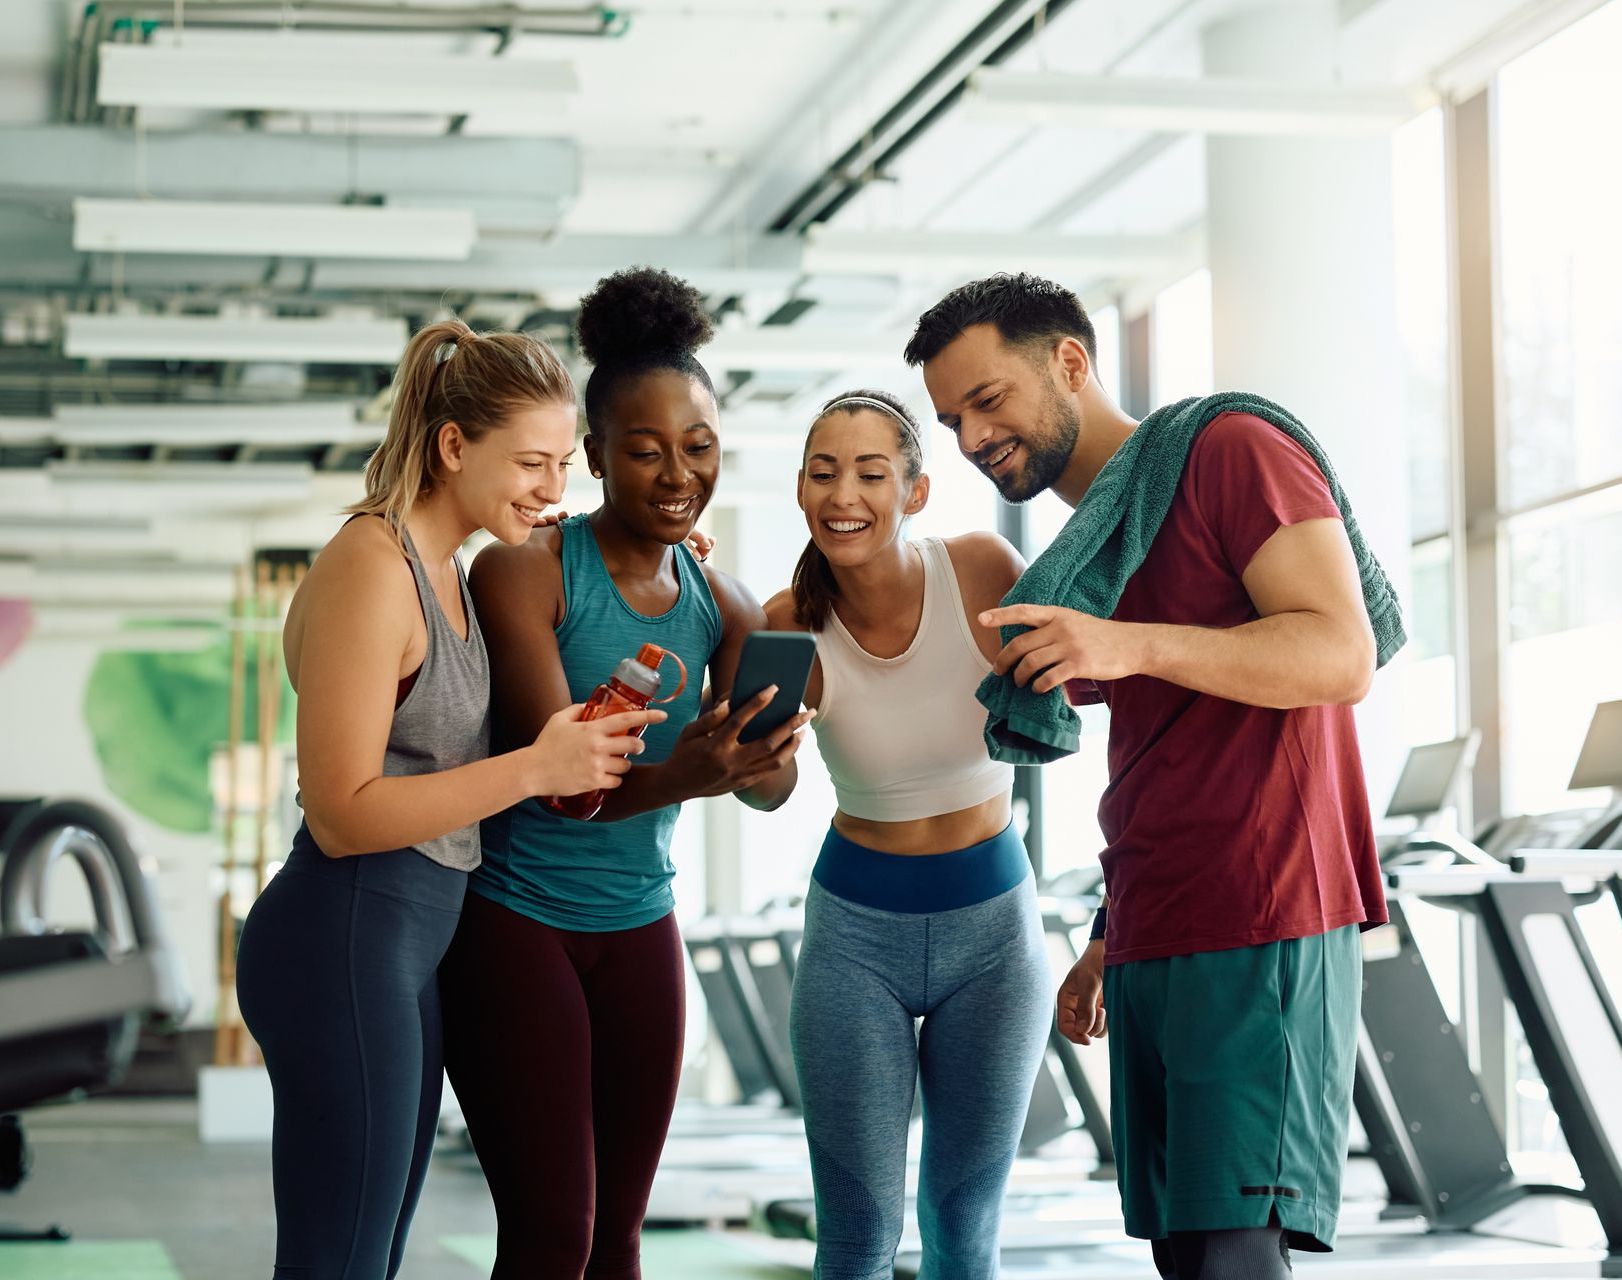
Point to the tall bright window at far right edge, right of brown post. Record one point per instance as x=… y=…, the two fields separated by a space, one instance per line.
x=1561 y=348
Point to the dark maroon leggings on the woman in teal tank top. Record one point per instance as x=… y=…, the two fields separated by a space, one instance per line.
x=565 y=1050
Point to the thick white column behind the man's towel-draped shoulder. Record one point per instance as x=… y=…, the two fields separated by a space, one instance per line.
x=1305 y=301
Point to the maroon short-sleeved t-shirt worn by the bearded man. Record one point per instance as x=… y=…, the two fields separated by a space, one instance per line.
x=1229 y=825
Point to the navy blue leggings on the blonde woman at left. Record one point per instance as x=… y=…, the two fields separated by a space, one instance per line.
x=337 y=982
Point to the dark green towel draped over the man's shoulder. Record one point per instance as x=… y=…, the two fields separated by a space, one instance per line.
x=1105 y=541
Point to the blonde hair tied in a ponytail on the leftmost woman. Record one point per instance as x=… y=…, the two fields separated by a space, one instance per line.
x=452 y=374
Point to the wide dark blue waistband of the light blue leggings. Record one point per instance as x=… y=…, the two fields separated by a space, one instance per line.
x=916 y=883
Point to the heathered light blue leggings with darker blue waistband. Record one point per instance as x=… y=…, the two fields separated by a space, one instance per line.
x=977 y=977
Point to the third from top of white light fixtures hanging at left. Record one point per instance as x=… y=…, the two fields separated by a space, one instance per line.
x=320 y=340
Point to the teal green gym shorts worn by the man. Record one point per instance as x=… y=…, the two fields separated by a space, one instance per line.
x=1230 y=1080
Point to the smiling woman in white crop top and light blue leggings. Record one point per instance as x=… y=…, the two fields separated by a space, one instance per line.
x=924 y=956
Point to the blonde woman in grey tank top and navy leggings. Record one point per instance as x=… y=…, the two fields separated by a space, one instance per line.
x=337 y=969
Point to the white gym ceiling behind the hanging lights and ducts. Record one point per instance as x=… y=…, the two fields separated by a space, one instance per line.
x=689 y=142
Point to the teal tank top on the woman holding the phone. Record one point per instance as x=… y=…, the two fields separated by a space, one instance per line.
x=599 y=877
